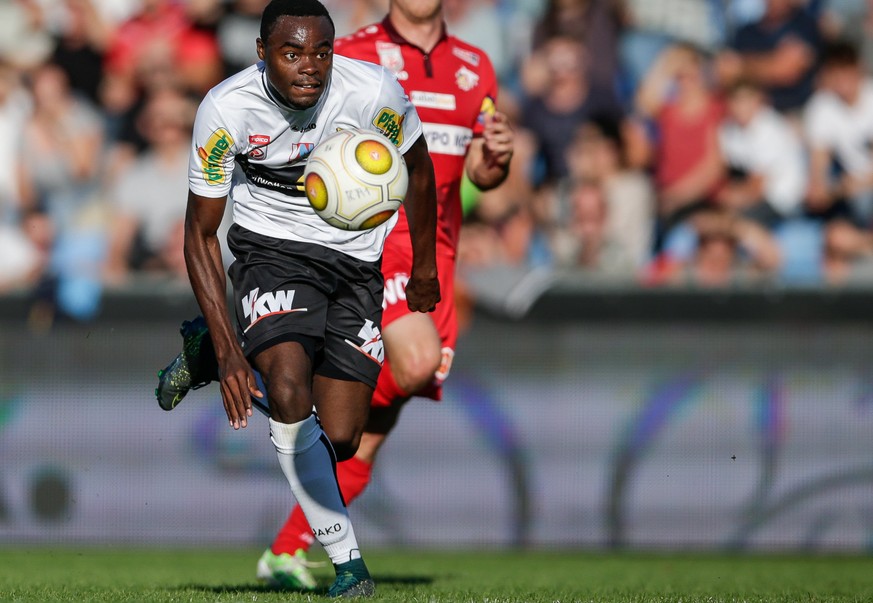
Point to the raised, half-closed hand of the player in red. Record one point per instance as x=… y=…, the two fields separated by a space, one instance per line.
x=488 y=158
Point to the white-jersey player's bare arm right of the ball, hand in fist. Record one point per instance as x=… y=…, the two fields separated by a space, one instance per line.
x=423 y=288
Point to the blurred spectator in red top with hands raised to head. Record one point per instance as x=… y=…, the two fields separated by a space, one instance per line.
x=686 y=113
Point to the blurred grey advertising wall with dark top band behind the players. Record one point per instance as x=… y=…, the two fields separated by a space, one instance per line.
x=558 y=430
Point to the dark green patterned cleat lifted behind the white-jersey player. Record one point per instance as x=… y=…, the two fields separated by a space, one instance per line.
x=193 y=368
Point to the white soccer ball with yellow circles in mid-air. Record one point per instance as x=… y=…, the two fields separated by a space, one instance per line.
x=355 y=179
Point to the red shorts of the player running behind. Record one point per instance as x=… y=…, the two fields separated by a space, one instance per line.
x=396 y=265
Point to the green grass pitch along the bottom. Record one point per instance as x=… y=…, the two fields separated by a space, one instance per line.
x=103 y=575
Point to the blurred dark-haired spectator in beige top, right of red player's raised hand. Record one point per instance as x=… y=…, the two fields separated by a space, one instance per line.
x=596 y=156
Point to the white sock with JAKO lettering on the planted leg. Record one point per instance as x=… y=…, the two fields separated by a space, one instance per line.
x=307 y=460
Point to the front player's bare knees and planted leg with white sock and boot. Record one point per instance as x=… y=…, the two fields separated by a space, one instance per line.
x=307 y=457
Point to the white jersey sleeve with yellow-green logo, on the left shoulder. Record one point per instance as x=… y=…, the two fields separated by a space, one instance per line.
x=214 y=147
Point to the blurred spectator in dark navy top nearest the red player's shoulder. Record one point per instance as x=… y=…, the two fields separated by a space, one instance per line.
x=560 y=98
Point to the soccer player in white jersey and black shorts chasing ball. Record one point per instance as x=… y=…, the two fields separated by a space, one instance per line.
x=307 y=296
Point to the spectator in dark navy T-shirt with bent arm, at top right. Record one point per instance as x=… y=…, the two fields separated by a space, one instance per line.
x=779 y=52
